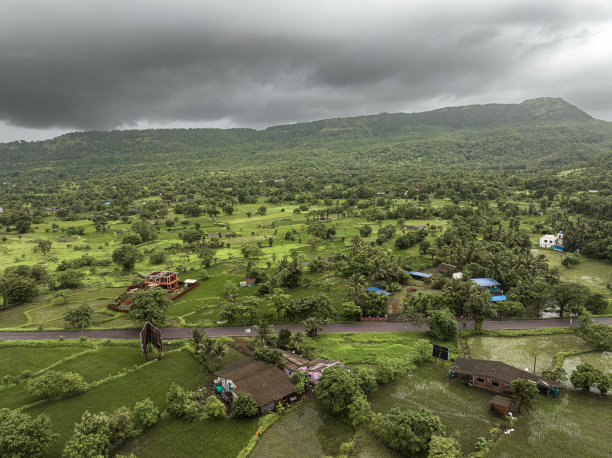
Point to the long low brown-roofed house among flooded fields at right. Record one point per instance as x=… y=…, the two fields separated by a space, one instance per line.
x=496 y=376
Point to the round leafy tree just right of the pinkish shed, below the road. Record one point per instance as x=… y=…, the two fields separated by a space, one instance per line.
x=337 y=388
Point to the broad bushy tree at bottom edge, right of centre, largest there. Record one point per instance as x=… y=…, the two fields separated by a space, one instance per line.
x=407 y=431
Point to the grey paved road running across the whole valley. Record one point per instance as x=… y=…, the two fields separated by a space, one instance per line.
x=372 y=326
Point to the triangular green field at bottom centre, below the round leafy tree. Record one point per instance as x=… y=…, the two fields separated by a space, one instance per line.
x=308 y=430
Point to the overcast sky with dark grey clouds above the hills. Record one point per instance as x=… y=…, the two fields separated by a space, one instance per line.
x=70 y=65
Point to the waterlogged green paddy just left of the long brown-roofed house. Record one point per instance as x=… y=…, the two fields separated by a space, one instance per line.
x=464 y=411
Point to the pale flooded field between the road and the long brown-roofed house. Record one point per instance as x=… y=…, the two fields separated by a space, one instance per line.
x=521 y=351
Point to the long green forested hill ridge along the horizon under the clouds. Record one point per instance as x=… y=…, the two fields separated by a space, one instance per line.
x=535 y=133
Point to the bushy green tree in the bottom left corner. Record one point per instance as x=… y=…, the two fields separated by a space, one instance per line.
x=22 y=436
